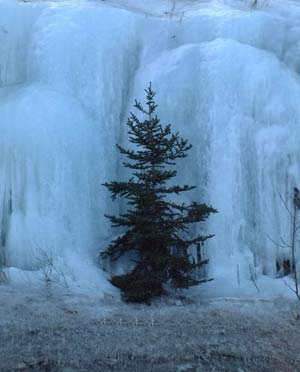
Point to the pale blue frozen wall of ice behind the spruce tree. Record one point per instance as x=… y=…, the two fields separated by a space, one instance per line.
x=226 y=77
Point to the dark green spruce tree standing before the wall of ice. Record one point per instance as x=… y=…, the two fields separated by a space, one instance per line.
x=154 y=224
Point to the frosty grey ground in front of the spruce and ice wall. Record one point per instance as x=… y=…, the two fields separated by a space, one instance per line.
x=44 y=332
